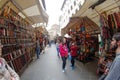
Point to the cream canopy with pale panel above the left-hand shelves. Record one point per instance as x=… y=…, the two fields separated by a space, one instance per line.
x=31 y=9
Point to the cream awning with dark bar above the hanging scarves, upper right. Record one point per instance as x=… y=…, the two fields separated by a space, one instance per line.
x=93 y=8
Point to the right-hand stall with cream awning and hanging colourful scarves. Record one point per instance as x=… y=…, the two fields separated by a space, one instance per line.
x=105 y=13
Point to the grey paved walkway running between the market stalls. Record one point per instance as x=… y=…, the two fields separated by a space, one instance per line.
x=49 y=67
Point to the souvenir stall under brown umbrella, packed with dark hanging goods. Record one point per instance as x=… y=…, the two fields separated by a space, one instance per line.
x=84 y=32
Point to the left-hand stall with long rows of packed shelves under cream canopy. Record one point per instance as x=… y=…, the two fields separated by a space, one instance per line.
x=16 y=32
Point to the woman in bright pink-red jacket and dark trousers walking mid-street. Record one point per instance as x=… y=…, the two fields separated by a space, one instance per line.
x=63 y=52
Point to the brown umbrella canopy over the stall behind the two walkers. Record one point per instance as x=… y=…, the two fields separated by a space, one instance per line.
x=75 y=23
